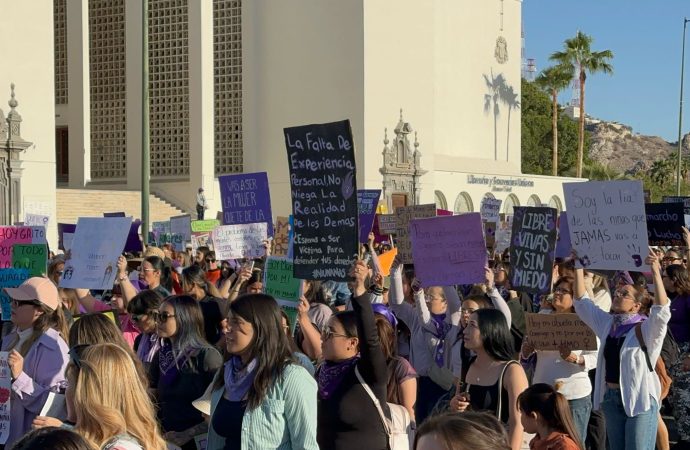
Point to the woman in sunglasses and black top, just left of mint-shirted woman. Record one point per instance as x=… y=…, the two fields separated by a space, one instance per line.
x=182 y=369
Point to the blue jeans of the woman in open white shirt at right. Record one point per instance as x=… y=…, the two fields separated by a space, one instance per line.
x=628 y=433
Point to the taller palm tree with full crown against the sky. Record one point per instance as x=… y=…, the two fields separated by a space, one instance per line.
x=577 y=55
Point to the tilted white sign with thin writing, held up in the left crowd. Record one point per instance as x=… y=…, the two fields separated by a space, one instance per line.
x=92 y=261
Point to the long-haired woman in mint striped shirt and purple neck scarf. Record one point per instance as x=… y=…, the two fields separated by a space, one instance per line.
x=261 y=397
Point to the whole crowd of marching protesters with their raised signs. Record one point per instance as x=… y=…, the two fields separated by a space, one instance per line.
x=346 y=326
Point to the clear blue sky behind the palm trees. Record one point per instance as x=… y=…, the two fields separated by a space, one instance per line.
x=646 y=39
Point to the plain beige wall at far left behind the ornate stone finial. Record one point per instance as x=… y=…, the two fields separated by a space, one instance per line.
x=26 y=50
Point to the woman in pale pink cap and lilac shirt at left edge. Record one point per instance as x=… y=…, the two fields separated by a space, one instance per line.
x=37 y=351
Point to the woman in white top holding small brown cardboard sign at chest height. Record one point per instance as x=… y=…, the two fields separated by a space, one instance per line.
x=566 y=368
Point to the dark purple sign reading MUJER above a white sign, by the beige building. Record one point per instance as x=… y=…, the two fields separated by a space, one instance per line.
x=246 y=199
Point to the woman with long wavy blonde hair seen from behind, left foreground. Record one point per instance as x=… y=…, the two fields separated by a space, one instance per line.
x=107 y=400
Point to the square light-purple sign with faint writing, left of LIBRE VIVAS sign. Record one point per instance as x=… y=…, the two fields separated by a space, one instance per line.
x=448 y=250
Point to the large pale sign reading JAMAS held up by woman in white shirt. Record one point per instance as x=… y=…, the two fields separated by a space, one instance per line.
x=608 y=226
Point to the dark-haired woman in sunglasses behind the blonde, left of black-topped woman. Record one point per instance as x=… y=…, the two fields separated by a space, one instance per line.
x=142 y=310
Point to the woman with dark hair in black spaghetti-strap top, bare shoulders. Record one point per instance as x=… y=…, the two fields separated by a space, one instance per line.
x=494 y=380
